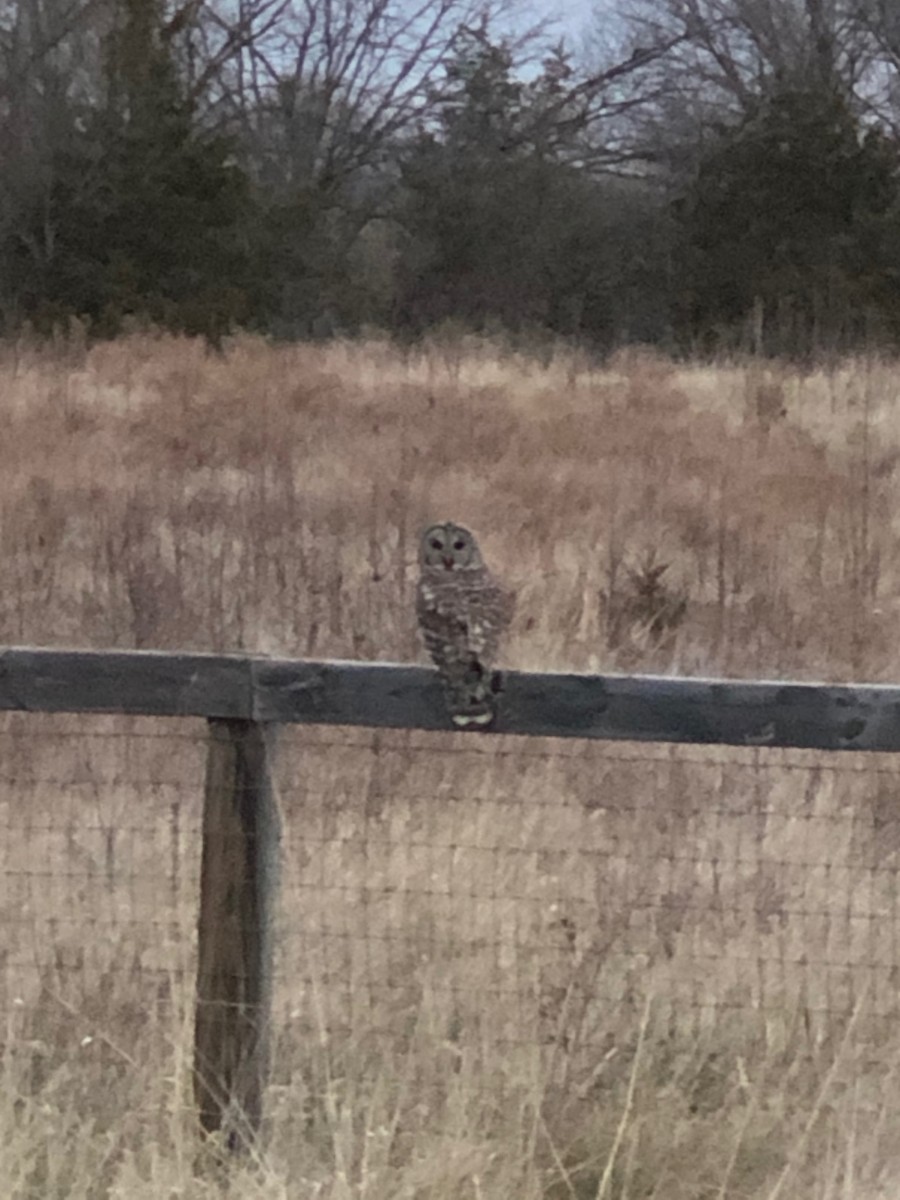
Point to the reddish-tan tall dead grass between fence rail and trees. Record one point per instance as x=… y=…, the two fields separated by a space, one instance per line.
x=269 y=501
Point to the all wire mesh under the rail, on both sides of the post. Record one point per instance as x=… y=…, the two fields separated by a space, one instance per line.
x=488 y=897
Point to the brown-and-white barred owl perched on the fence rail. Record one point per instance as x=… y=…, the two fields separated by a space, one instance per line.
x=463 y=613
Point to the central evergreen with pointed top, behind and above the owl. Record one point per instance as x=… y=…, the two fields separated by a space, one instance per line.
x=503 y=227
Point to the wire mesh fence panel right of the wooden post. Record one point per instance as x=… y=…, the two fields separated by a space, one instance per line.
x=536 y=893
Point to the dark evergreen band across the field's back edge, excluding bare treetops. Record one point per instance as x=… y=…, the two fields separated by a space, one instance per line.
x=495 y=214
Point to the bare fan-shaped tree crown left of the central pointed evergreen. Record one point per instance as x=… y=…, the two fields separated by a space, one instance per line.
x=319 y=89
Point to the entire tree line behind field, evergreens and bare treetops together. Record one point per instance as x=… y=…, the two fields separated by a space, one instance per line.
x=700 y=175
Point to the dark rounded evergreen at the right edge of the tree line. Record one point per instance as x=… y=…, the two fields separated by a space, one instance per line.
x=796 y=211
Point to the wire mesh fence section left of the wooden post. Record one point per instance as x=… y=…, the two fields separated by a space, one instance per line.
x=99 y=875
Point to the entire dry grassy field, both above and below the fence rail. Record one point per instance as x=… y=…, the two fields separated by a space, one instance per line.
x=506 y=970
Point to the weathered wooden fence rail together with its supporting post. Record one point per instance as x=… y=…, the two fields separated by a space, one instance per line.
x=245 y=698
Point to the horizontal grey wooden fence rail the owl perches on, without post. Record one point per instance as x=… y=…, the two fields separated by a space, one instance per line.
x=635 y=709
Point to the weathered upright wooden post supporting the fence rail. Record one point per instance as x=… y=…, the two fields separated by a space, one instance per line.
x=235 y=952
